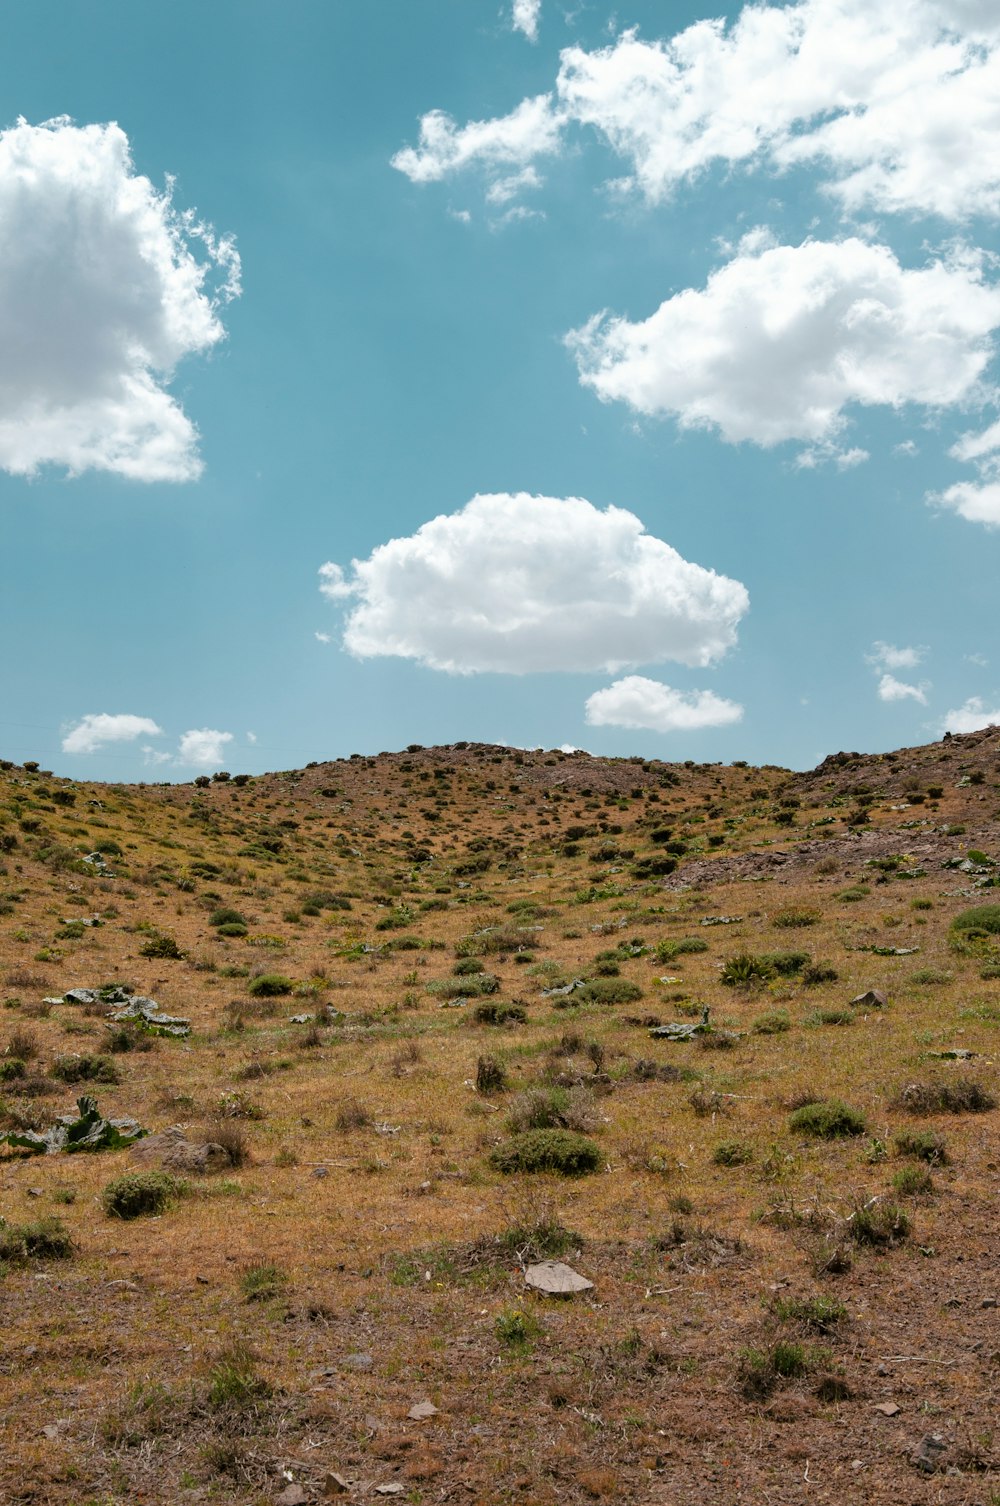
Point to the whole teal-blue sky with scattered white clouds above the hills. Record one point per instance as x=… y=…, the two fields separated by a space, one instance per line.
x=546 y=373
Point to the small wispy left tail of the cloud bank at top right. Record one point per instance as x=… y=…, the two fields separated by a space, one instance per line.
x=510 y=142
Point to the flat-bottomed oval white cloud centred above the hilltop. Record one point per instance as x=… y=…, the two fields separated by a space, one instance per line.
x=520 y=584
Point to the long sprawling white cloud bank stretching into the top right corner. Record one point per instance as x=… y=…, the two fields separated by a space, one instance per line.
x=898 y=102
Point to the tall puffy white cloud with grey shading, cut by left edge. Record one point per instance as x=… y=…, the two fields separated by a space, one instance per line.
x=102 y=297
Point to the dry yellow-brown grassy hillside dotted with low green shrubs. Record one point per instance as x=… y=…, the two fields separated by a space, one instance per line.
x=788 y=1300
